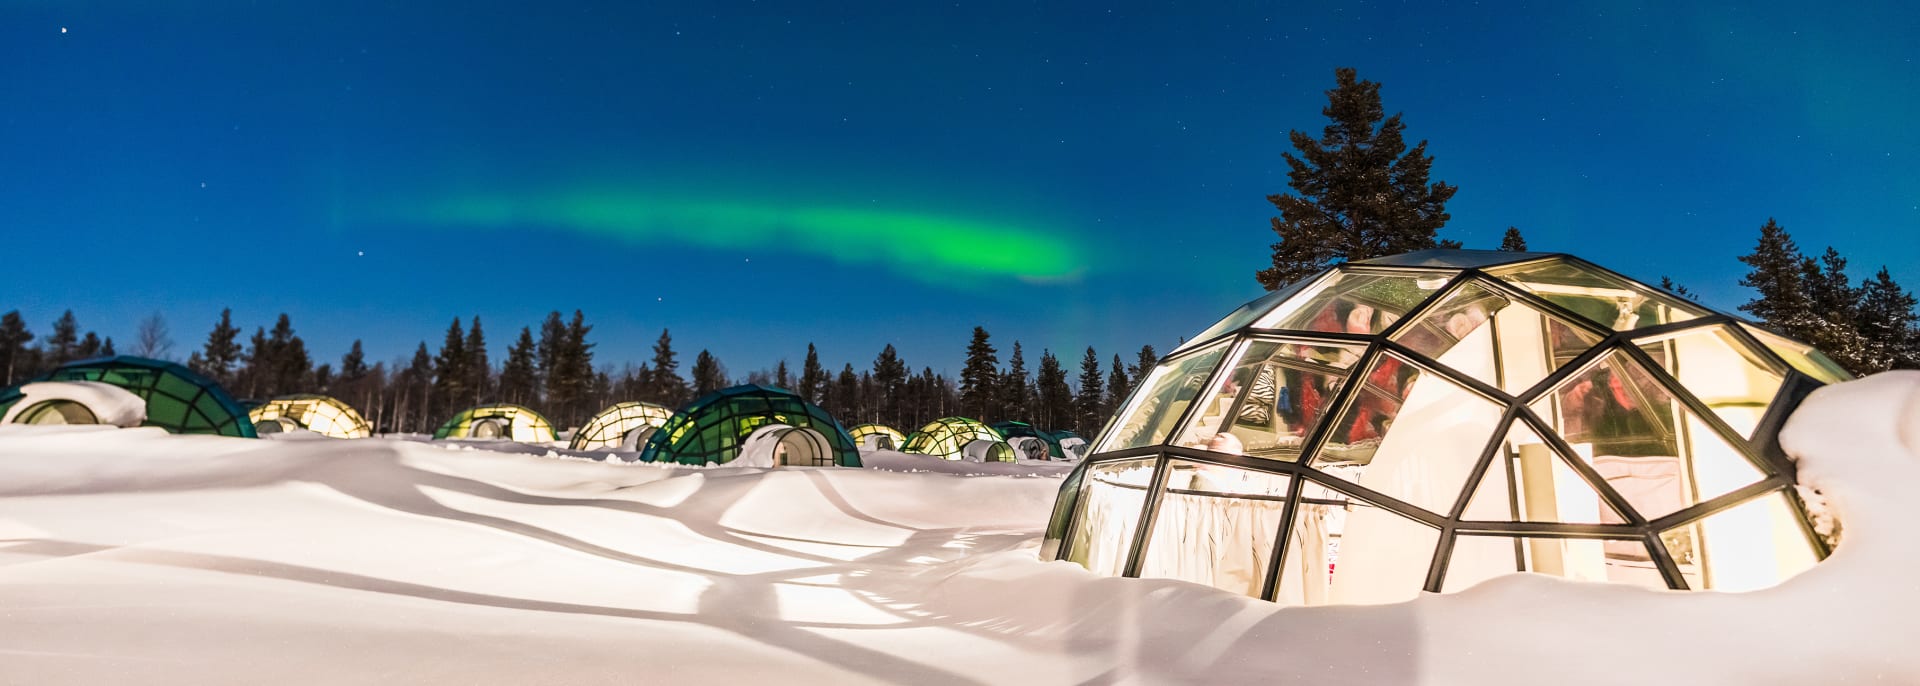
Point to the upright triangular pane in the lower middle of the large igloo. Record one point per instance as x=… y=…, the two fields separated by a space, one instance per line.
x=1529 y=481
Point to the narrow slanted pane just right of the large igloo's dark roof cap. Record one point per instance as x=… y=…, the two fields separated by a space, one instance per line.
x=1600 y=297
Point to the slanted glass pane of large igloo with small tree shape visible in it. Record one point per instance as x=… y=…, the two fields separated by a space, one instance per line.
x=1272 y=399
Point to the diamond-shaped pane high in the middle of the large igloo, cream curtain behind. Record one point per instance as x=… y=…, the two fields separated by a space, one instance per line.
x=1495 y=339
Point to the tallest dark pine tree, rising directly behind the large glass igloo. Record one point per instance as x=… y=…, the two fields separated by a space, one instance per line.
x=1360 y=191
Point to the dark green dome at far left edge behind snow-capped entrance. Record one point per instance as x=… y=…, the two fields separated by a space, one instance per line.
x=178 y=399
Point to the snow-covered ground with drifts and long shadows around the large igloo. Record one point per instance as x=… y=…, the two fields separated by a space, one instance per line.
x=135 y=556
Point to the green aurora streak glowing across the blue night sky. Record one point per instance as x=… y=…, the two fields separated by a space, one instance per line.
x=926 y=247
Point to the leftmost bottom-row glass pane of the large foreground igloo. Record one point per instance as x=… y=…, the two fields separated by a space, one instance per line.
x=1109 y=514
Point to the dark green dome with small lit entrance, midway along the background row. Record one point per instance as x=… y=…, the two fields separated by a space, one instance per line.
x=729 y=424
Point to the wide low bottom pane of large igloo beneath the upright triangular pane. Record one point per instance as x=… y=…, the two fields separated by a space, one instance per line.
x=1620 y=562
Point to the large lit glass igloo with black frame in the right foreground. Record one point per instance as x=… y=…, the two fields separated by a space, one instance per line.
x=1428 y=422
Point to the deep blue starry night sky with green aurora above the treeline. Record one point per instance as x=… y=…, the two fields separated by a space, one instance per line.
x=761 y=176
